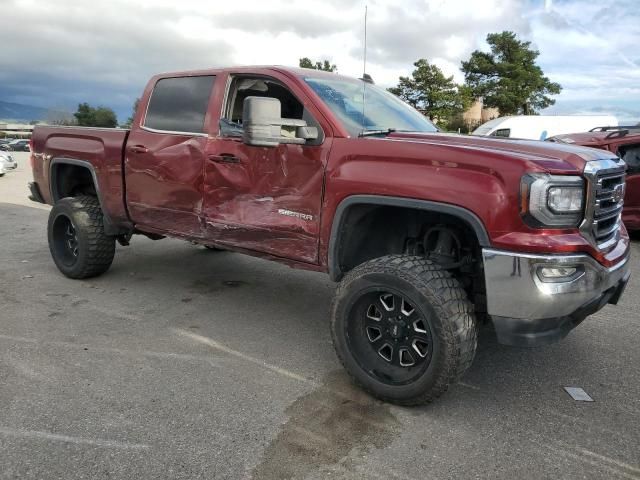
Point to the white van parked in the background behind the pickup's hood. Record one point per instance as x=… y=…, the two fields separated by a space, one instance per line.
x=540 y=127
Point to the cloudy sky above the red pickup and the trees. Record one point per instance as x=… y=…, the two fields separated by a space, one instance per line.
x=56 y=54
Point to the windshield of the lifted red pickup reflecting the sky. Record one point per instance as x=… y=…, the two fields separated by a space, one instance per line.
x=380 y=110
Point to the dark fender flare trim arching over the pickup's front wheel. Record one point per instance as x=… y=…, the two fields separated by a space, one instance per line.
x=467 y=216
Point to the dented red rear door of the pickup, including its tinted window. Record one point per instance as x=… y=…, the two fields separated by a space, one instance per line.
x=164 y=158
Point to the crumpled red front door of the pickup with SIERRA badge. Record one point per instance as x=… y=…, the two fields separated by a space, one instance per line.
x=263 y=182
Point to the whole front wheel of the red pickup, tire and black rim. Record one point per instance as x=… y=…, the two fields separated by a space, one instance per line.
x=403 y=328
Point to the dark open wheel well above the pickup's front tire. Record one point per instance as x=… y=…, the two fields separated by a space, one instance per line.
x=370 y=231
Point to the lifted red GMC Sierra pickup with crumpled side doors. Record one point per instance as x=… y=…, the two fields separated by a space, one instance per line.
x=427 y=233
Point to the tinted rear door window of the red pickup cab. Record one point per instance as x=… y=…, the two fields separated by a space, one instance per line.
x=179 y=104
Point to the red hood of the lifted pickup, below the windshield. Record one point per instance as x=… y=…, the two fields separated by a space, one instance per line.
x=547 y=155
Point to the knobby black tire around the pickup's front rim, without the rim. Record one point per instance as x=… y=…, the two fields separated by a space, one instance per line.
x=439 y=297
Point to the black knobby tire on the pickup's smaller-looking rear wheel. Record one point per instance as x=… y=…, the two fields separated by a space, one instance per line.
x=95 y=249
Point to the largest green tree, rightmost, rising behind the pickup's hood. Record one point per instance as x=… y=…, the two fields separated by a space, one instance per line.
x=508 y=78
